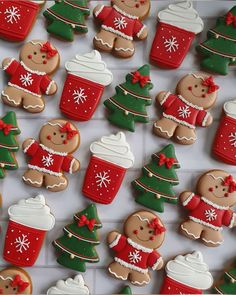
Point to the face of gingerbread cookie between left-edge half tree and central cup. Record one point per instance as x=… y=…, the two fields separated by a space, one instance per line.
x=60 y=136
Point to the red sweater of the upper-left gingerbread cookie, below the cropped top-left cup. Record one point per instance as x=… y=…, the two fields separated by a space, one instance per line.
x=30 y=81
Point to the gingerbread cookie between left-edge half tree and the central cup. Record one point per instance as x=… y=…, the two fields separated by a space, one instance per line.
x=51 y=155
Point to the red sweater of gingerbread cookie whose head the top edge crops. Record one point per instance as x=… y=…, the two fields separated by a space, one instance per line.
x=117 y=21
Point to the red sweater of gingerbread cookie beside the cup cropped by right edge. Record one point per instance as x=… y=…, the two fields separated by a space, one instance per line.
x=182 y=111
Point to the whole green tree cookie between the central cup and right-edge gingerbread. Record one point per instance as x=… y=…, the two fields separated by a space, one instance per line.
x=159 y=176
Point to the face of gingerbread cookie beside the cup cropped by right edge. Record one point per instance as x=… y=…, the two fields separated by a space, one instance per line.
x=199 y=89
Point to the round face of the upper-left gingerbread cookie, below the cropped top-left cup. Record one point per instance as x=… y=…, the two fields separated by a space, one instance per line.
x=41 y=56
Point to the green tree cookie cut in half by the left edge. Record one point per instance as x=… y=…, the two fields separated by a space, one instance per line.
x=8 y=143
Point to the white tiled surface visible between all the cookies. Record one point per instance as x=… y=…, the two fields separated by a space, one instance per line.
x=194 y=159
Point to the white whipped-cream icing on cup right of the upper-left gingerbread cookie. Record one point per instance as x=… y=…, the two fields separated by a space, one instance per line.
x=90 y=66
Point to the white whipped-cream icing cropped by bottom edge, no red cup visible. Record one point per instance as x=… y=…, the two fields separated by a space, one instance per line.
x=70 y=286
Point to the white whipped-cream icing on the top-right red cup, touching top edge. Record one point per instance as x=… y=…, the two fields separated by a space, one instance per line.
x=182 y=15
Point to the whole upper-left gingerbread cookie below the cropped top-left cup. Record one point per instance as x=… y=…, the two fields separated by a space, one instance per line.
x=29 y=77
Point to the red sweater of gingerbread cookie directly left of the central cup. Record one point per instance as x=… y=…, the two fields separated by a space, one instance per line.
x=48 y=161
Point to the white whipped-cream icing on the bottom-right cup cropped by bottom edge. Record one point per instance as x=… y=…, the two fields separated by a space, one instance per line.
x=190 y=270
